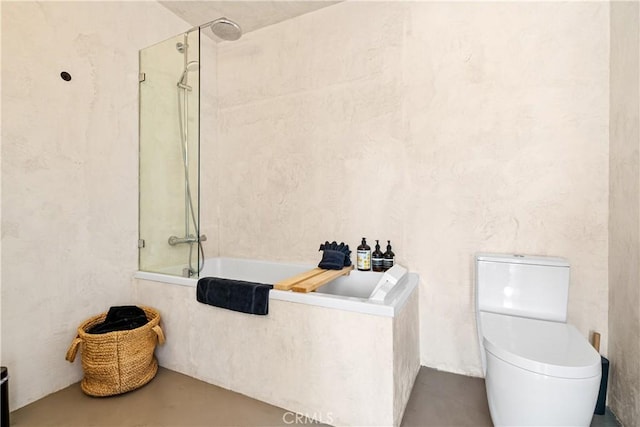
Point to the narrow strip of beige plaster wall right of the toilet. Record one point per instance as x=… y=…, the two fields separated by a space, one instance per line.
x=624 y=216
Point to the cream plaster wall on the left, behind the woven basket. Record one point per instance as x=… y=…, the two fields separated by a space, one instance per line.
x=69 y=175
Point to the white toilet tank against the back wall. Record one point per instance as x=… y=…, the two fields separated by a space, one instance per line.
x=525 y=286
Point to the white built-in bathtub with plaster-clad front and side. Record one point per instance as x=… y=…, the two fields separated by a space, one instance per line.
x=333 y=355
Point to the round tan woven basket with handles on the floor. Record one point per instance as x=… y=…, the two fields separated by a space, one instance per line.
x=120 y=361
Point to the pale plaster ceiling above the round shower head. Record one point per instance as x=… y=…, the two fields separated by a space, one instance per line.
x=250 y=15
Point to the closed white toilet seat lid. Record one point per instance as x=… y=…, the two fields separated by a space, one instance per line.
x=543 y=347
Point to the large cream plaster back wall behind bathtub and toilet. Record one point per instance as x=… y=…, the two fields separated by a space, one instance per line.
x=448 y=128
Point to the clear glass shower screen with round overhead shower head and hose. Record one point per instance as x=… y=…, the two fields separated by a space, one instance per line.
x=170 y=241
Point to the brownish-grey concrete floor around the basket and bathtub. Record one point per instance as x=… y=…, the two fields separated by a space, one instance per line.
x=172 y=399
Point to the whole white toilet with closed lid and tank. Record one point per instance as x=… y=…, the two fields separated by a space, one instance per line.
x=539 y=370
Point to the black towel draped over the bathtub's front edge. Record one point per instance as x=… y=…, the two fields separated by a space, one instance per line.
x=236 y=295
